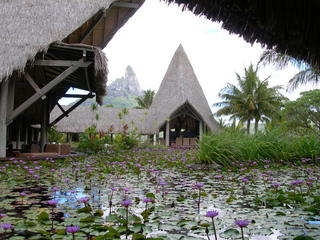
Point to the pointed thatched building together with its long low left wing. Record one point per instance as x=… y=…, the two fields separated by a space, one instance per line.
x=179 y=110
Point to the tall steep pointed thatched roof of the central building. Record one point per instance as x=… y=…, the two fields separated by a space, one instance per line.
x=178 y=87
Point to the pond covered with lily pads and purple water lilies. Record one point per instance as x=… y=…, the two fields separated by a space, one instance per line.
x=157 y=194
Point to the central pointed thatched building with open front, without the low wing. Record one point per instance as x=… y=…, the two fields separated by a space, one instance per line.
x=180 y=107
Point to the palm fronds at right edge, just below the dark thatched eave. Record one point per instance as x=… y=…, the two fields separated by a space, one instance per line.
x=308 y=74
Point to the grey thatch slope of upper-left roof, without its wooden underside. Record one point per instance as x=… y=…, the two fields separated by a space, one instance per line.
x=30 y=26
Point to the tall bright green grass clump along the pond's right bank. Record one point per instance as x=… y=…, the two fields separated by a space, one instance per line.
x=229 y=148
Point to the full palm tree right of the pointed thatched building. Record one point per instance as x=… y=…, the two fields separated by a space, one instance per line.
x=251 y=100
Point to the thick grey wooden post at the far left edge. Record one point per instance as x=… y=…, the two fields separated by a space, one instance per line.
x=4 y=85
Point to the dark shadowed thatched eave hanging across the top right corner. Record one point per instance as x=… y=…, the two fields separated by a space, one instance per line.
x=288 y=26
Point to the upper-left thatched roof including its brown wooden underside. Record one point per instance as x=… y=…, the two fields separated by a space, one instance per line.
x=30 y=26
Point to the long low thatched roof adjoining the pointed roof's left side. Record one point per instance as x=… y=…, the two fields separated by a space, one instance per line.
x=108 y=121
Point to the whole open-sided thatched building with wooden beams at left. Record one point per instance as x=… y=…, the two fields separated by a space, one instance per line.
x=46 y=48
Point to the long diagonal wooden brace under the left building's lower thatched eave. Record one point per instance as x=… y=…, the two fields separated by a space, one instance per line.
x=35 y=97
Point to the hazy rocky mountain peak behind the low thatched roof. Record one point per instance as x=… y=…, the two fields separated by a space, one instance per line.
x=122 y=92
